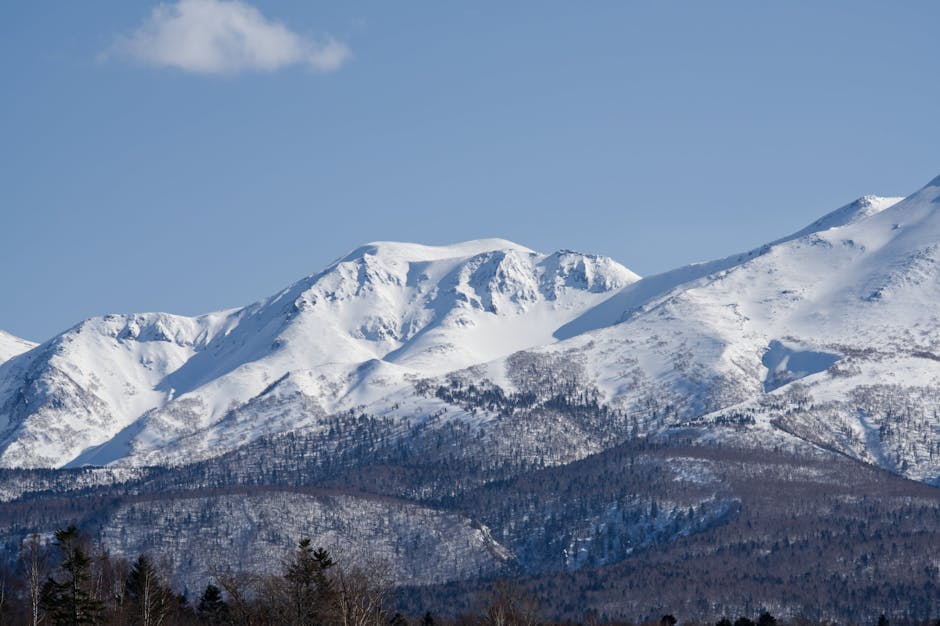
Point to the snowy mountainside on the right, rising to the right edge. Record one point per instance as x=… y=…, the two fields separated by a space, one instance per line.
x=831 y=334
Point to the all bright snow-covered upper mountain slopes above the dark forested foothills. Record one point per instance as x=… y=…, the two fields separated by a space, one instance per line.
x=829 y=336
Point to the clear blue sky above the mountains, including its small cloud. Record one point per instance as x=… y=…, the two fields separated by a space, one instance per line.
x=157 y=161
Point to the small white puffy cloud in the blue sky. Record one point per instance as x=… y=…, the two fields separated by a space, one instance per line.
x=224 y=37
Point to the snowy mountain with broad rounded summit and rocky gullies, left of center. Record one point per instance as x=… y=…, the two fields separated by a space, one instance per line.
x=133 y=385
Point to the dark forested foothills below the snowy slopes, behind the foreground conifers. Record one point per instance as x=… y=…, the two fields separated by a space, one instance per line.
x=697 y=522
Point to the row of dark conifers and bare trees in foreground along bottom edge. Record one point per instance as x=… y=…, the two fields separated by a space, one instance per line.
x=70 y=581
